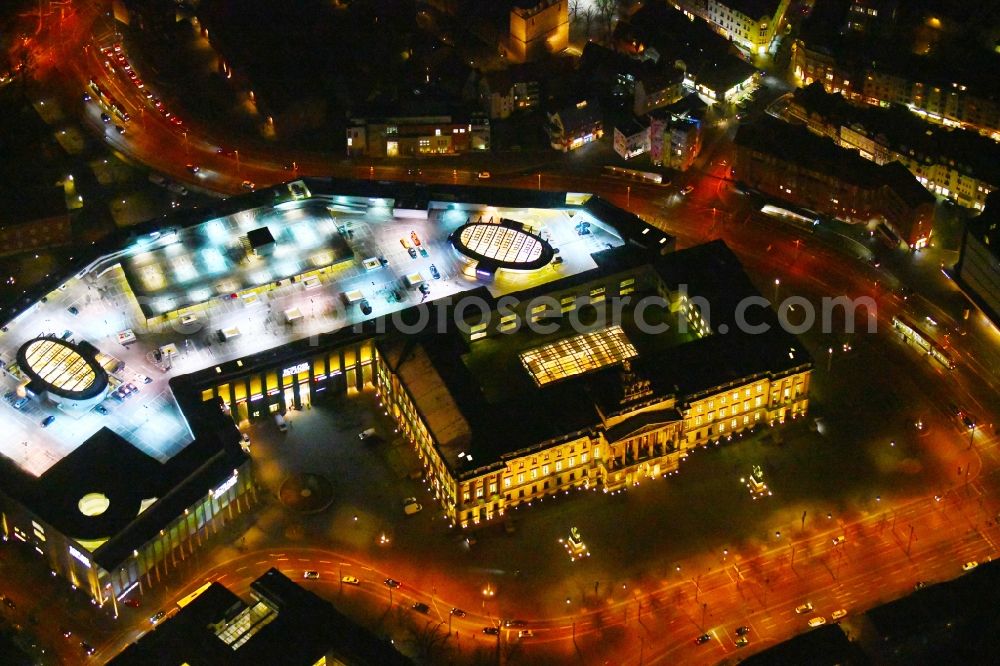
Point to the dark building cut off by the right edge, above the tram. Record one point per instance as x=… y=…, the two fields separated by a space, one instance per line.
x=978 y=269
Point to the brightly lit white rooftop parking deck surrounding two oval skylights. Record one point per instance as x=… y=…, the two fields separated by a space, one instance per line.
x=175 y=289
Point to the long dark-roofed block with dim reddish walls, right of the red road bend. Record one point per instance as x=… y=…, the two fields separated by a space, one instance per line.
x=791 y=163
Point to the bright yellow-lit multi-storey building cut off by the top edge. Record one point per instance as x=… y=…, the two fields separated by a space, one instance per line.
x=752 y=24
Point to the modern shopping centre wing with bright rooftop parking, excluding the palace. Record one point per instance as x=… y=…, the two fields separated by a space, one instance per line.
x=124 y=379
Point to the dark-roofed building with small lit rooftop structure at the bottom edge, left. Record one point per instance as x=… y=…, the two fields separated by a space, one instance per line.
x=283 y=623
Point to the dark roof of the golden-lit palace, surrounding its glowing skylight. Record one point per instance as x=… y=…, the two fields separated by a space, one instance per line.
x=466 y=391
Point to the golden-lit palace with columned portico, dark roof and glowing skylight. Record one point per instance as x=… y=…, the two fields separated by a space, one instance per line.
x=502 y=418
